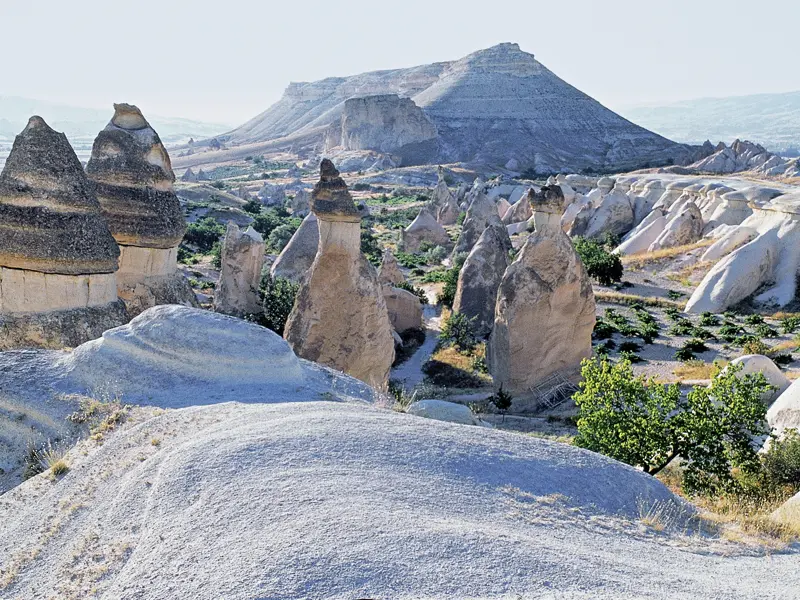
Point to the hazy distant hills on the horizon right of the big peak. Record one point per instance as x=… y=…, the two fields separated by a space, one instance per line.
x=772 y=120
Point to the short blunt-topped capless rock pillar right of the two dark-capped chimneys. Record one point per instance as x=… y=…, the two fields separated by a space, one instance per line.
x=240 y=275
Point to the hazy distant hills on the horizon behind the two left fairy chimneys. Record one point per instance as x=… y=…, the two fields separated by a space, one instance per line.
x=81 y=125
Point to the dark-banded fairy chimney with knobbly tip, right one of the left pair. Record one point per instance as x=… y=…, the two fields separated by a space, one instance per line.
x=132 y=176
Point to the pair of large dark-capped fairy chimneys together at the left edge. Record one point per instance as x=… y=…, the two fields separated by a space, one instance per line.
x=82 y=252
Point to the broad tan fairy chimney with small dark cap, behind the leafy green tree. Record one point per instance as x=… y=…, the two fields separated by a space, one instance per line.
x=545 y=310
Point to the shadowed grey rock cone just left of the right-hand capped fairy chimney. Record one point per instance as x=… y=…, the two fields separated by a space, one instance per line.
x=476 y=293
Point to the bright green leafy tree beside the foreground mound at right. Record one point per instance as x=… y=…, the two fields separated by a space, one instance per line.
x=647 y=424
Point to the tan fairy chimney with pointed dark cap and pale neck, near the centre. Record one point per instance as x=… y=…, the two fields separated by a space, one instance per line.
x=339 y=317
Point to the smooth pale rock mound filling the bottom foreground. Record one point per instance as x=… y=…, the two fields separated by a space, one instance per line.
x=337 y=500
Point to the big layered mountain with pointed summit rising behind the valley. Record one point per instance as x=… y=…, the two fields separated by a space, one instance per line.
x=496 y=107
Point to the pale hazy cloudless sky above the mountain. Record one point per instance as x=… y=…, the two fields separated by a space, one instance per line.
x=227 y=60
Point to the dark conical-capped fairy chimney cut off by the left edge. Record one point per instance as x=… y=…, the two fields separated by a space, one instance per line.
x=58 y=259
